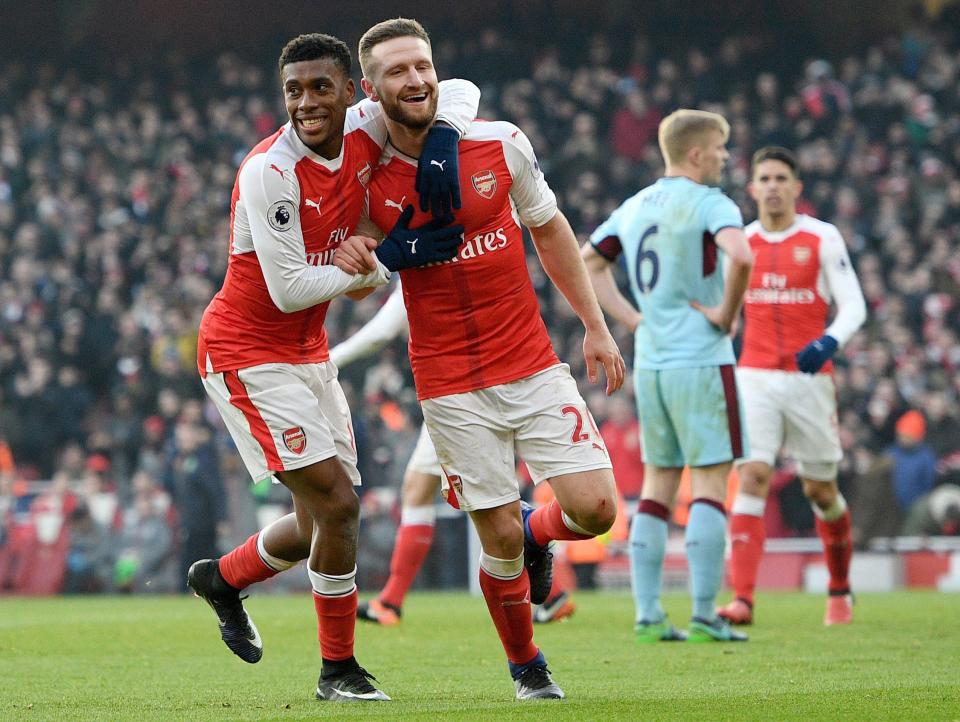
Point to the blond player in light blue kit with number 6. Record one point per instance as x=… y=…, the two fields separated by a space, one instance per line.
x=671 y=233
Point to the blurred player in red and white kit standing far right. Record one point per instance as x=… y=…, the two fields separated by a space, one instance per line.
x=784 y=373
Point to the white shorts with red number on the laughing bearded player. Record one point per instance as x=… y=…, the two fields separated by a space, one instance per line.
x=477 y=435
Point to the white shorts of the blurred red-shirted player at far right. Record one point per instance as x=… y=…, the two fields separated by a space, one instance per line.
x=789 y=411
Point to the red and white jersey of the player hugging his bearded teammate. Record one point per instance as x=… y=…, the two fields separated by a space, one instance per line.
x=290 y=210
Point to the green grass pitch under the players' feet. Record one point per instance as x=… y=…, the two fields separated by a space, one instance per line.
x=162 y=659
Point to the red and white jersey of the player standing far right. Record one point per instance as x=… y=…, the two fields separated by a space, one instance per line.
x=796 y=275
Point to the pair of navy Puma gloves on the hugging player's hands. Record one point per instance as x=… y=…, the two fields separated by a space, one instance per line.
x=438 y=183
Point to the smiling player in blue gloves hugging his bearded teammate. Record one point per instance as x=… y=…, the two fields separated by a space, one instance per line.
x=262 y=350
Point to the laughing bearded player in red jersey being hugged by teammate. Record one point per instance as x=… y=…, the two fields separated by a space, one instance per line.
x=487 y=377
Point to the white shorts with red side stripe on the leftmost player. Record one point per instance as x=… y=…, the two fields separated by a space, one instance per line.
x=285 y=416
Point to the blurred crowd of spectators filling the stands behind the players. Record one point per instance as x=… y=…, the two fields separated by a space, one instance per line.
x=115 y=180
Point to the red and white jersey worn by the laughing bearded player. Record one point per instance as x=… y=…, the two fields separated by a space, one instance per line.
x=474 y=320
